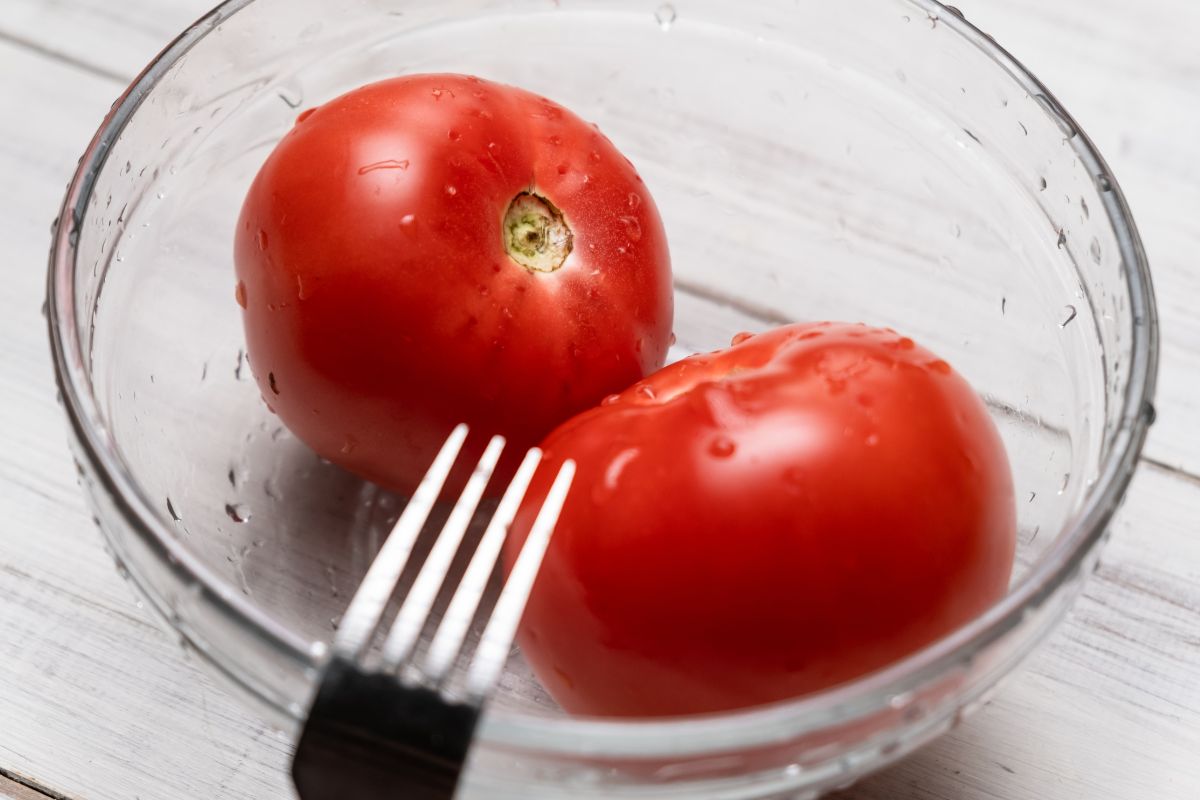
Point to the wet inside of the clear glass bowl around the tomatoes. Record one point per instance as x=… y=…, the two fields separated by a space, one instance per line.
x=856 y=161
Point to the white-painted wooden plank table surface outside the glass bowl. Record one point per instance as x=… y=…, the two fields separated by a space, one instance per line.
x=99 y=703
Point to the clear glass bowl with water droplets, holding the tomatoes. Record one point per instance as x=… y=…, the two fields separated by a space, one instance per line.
x=877 y=161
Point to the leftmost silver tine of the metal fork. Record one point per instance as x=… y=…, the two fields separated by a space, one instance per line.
x=362 y=617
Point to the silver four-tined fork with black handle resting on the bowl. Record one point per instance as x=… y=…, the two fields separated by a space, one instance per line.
x=391 y=729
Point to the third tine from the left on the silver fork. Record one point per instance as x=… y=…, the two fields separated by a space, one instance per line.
x=453 y=631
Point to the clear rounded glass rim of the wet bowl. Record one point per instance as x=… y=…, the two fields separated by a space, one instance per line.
x=644 y=739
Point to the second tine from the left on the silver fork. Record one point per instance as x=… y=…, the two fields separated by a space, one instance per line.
x=415 y=612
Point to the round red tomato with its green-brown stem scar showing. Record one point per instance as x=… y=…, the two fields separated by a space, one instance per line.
x=439 y=249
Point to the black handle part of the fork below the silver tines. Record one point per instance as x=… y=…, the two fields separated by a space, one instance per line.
x=370 y=738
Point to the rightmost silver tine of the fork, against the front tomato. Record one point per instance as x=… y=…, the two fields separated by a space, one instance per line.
x=494 y=646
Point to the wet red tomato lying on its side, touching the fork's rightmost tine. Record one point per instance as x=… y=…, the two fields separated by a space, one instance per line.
x=765 y=522
